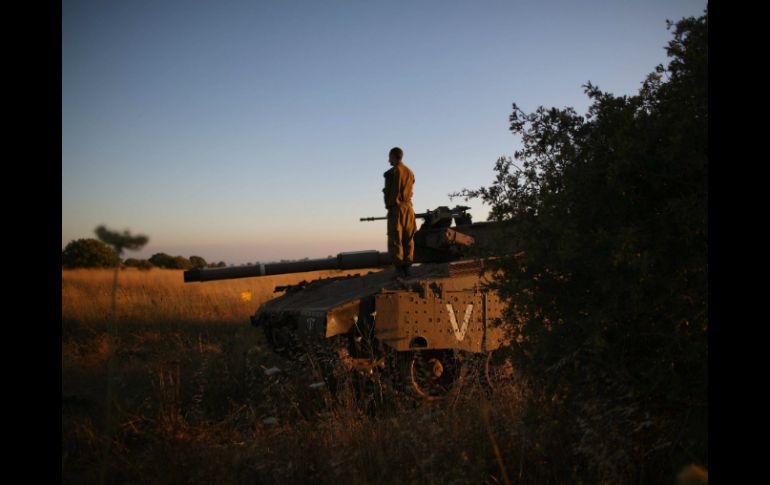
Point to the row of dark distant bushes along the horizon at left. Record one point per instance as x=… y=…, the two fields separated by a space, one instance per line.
x=93 y=253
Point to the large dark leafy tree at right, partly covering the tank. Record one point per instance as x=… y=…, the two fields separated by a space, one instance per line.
x=607 y=276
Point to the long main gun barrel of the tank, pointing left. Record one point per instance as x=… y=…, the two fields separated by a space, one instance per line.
x=349 y=260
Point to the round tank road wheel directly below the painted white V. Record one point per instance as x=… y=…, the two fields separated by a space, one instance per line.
x=434 y=374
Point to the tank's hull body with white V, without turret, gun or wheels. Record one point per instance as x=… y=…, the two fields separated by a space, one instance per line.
x=441 y=306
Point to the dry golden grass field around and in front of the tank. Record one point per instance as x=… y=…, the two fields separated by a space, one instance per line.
x=190 y=401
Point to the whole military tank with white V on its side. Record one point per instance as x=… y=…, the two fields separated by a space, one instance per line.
x=424 y=331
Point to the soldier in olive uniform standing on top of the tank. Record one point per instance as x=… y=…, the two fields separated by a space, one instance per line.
x=399 y=181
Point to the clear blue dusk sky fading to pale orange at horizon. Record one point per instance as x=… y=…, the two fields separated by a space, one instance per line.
x=259 y=130
